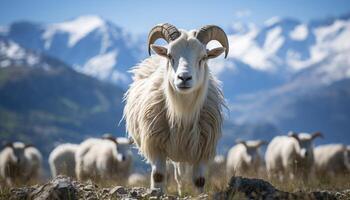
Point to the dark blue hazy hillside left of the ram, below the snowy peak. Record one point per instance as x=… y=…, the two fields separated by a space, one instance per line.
x=50 y=103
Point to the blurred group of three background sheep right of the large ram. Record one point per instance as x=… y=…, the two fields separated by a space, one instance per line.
x=290 y=156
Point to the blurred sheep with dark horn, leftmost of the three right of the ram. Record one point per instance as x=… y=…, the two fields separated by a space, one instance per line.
x=244 y=158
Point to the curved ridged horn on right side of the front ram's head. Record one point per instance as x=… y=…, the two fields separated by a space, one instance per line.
x=212 y=32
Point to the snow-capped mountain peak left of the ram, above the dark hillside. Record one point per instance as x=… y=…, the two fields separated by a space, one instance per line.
x=90 y=44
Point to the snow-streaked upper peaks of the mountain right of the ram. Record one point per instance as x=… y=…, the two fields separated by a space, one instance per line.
x=271 y=55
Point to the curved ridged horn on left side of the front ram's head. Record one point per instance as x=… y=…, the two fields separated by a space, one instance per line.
x=166 y=31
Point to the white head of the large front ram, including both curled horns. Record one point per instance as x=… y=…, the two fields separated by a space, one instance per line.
x=187 y=54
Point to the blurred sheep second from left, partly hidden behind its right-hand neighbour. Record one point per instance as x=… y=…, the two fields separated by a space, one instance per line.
x=62 y=160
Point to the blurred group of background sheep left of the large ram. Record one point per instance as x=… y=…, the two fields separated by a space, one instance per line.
x=105 y=158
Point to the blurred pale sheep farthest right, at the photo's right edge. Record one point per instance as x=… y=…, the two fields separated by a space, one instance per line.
x=331 y=159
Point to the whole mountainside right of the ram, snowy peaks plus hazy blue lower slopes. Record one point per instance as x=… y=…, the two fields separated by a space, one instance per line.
x=302 y=82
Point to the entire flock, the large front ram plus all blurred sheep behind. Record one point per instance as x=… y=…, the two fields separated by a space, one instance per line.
x=173 y=115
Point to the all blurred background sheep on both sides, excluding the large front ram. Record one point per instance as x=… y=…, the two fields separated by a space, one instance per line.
x=110 y=159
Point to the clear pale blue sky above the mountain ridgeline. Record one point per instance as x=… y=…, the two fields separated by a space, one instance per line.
x=139 y=16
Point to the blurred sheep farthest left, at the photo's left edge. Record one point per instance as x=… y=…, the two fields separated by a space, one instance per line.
x=20 y=163
